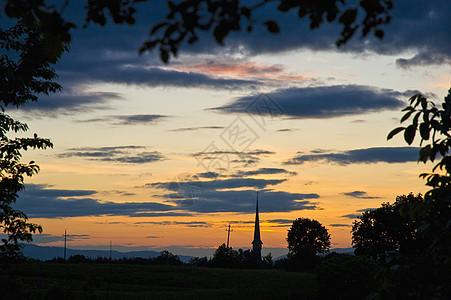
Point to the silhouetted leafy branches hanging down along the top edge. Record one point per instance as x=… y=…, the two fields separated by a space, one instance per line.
x=187 y=19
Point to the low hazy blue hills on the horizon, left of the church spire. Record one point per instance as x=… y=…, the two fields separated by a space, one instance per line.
x=48 y=253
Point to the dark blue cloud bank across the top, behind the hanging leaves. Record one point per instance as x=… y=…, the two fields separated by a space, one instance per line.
x=110 y=53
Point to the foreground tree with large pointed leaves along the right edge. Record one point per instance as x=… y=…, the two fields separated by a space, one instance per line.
x=426 y=276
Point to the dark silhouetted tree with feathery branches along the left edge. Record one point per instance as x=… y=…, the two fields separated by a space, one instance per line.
x=28 y=53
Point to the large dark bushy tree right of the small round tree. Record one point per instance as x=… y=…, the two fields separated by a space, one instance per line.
x=379 y=232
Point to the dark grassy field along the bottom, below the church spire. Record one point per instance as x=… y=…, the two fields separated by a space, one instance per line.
x=96 y=281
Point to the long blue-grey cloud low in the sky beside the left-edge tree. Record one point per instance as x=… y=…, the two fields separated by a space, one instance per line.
x=40 y=201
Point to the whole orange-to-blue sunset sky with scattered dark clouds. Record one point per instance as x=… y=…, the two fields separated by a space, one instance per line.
x=154 y=156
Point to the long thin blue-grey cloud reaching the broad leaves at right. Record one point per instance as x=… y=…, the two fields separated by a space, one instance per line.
x=367 y=156
